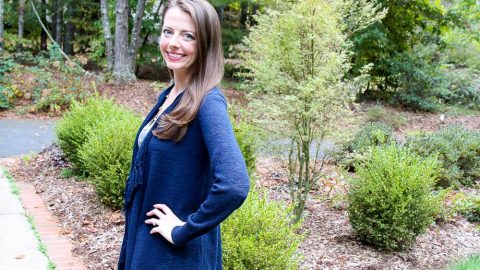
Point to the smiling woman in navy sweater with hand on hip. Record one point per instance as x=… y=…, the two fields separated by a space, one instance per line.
x=187 y=173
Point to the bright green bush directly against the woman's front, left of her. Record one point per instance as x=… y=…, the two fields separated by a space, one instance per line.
x=106 y=156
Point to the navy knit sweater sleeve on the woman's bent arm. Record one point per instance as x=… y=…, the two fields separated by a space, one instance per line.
x=230 y=177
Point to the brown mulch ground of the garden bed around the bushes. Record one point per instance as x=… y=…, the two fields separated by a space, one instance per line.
x=329 y=244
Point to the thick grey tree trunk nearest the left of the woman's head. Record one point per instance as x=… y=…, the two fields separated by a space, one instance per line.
x=122 y=68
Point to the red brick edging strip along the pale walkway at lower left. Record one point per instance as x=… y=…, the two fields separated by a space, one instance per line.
x=58 y=246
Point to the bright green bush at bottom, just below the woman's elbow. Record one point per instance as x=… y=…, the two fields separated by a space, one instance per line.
x=260 y=235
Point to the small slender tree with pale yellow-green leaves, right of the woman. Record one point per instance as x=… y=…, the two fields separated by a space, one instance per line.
x=297 y=59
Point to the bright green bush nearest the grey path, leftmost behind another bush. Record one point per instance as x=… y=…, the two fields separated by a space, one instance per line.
x=71 y=129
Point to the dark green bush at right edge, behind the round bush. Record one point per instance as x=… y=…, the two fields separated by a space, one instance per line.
x=458 y=150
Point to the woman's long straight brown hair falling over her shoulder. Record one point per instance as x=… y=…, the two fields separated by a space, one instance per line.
x=206 y=71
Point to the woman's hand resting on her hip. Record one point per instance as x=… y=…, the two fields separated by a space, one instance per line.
x=164 y=222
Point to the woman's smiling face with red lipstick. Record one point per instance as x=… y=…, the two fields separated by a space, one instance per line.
x=178 y=43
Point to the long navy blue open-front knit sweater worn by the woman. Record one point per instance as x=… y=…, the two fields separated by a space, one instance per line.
x=202 y=178
